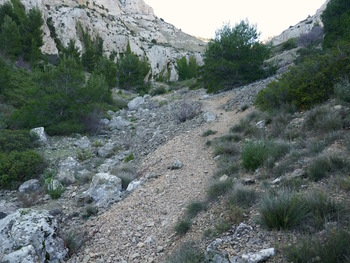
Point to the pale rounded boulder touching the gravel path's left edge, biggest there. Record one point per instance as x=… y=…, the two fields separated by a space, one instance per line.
x=105 y=189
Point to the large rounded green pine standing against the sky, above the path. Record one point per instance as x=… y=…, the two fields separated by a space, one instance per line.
x=235 y=57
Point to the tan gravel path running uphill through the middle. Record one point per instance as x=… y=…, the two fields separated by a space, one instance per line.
x=140 y=228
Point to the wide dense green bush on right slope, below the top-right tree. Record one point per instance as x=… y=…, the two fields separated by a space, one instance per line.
x=309 y=83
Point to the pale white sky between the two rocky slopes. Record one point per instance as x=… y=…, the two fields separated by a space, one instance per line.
x=202 y=18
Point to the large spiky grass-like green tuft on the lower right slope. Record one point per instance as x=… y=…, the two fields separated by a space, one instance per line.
x=283 y=210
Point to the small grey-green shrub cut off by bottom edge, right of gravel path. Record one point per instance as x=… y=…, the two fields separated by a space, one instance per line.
x=187 y=252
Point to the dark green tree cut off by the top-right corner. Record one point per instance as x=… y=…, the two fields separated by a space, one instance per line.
x=336 y=20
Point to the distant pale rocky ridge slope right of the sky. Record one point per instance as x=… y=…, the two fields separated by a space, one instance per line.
x=302 y=27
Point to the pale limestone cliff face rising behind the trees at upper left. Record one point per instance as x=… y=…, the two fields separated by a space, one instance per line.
x=118 y=22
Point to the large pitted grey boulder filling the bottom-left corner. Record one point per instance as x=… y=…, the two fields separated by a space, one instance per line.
x=30 y=236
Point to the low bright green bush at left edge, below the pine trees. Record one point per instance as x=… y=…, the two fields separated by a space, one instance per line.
x=17 y=167
